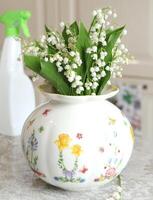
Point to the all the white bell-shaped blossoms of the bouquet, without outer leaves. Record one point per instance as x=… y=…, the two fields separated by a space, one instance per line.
x=54 y=48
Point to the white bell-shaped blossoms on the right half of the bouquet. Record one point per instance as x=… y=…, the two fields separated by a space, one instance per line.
x=98 y=34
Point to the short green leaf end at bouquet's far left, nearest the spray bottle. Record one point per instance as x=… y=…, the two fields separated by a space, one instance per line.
x=33 y=63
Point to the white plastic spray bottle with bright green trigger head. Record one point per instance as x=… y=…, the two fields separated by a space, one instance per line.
x=17 y=98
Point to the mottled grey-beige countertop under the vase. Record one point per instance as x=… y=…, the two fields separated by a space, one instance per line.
x=17 y=181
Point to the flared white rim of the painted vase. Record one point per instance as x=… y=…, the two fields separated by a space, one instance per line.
x=106 y=94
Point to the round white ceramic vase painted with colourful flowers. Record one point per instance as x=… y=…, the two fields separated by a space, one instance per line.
x=77 y=142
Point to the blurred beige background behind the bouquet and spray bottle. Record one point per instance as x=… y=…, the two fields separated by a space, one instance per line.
x=138 y=17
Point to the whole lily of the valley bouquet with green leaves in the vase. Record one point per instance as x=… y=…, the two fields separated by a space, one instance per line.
x=80 y=61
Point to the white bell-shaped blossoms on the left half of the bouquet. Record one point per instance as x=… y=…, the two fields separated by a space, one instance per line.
x=66 y=61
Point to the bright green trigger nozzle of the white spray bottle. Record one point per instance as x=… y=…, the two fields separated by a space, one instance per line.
x=15 y=21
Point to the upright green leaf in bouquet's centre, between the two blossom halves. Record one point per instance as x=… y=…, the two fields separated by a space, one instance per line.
x=83 y=42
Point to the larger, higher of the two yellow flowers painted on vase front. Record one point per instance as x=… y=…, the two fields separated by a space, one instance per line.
x=63 y=141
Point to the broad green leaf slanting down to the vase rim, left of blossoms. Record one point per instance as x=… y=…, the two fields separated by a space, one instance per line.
x=49 y=72
